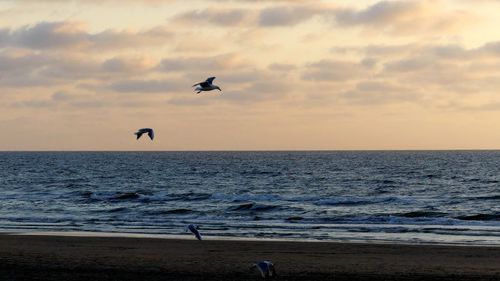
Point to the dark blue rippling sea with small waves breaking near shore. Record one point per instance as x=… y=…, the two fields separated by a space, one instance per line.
x=404 y=196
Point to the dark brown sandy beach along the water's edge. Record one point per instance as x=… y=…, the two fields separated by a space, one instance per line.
x=118 y=258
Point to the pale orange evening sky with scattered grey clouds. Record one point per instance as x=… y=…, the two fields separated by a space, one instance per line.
x=294 y=74
